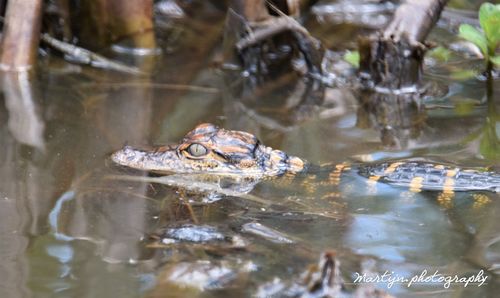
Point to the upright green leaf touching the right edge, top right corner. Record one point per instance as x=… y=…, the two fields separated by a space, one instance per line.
x=489 y=18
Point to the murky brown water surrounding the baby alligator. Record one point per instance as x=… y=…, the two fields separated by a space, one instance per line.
x=68 y=230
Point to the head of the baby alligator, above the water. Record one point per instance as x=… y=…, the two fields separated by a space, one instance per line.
x=209 y=149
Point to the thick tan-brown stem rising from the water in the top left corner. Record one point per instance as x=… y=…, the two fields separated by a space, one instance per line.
x=21 y=34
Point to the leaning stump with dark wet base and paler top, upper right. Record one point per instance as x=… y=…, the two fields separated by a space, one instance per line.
x=393 y=58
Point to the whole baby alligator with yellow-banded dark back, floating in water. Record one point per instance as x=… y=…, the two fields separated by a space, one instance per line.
x=212 y=150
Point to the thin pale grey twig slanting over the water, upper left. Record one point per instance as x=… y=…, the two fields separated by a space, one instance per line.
x=87 y=57
